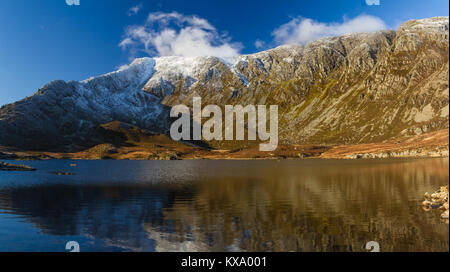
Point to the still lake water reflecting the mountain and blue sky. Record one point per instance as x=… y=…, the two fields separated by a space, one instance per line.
x=308 y=205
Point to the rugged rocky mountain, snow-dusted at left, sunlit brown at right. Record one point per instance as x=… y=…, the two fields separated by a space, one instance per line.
x=357 y=88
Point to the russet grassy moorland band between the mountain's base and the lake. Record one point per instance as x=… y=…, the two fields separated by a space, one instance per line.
x=162 y=147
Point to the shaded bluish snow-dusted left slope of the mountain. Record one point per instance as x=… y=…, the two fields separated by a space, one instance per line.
x=69 y=113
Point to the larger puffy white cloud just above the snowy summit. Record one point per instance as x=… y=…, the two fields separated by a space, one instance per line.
x=175 y=34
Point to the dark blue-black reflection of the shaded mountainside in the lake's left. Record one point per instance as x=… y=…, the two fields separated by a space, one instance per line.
x=114 y=214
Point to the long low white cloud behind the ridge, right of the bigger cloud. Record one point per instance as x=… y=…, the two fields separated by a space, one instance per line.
x=302 y=30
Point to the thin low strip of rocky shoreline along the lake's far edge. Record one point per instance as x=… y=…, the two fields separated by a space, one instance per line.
x=304 y=152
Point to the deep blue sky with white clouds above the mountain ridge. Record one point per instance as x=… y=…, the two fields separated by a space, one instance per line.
x=43 y=40
